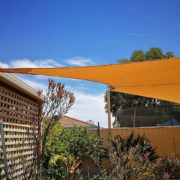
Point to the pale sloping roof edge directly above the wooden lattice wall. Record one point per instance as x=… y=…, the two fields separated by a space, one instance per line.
x=15 y=82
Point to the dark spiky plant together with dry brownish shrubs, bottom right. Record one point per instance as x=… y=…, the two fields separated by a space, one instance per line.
x=131 y=158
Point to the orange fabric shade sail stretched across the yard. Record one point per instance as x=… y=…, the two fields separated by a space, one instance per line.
x=158 y=79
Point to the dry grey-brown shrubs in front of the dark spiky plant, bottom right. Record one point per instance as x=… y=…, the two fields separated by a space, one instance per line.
x=132 y=165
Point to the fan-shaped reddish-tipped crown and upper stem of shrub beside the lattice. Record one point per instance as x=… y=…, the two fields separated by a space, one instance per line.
x=57 y=102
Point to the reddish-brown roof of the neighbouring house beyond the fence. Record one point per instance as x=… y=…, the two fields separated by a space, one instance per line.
x=68 y=122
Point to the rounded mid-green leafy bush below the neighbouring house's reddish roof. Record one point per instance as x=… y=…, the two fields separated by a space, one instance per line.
x=83 y=144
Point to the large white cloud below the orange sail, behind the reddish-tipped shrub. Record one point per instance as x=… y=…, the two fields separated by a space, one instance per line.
x=87 y=106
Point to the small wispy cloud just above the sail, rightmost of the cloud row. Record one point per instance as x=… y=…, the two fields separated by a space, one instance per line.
x=79 y=61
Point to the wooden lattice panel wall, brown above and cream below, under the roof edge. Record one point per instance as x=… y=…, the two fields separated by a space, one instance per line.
x=20 y=115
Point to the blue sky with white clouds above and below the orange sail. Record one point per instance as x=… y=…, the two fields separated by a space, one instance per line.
x=58 y=33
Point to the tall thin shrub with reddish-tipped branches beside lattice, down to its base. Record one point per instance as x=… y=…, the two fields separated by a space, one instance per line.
x=57 y=102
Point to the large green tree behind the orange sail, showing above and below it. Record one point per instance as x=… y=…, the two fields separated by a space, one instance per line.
x=125 y=101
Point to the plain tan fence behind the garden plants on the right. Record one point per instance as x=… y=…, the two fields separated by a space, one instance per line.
x=165 y=139
